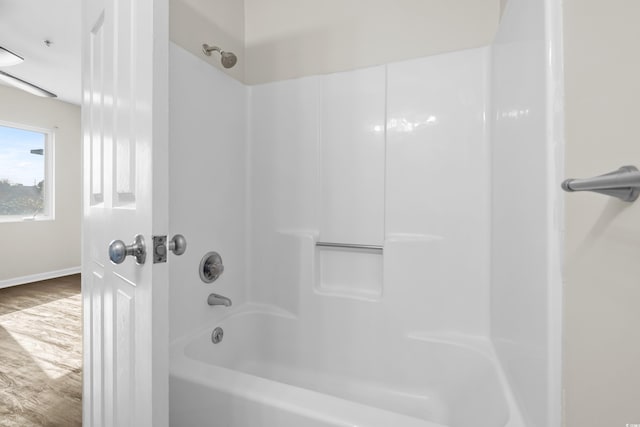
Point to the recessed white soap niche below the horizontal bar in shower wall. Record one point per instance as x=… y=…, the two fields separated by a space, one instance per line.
x=349 y=272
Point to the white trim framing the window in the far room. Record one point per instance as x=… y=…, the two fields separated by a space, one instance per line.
x=49 y=175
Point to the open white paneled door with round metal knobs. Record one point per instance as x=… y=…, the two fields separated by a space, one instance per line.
x=125 y=146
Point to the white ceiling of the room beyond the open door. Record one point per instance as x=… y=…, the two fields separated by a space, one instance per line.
x=24 y=27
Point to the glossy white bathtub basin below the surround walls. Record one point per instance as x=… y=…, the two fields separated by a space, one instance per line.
x=270 y=370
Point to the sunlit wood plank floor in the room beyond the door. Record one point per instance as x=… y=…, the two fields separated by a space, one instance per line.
x=41 y=354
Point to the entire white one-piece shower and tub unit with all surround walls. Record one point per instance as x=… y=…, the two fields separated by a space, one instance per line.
x=386 y=236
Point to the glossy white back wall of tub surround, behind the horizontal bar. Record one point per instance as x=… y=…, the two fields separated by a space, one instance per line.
x=391 y=155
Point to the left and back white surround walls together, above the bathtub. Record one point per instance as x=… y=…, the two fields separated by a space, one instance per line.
x=414 y=133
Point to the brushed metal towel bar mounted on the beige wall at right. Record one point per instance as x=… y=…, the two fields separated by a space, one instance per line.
x=623 y=184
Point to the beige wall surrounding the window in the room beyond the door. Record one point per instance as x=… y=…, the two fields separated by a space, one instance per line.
x=39 y=249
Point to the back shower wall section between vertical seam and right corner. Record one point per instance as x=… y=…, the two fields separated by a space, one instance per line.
x=437 y=215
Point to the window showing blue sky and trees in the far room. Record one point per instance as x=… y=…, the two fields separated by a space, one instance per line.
x=26 y=159
